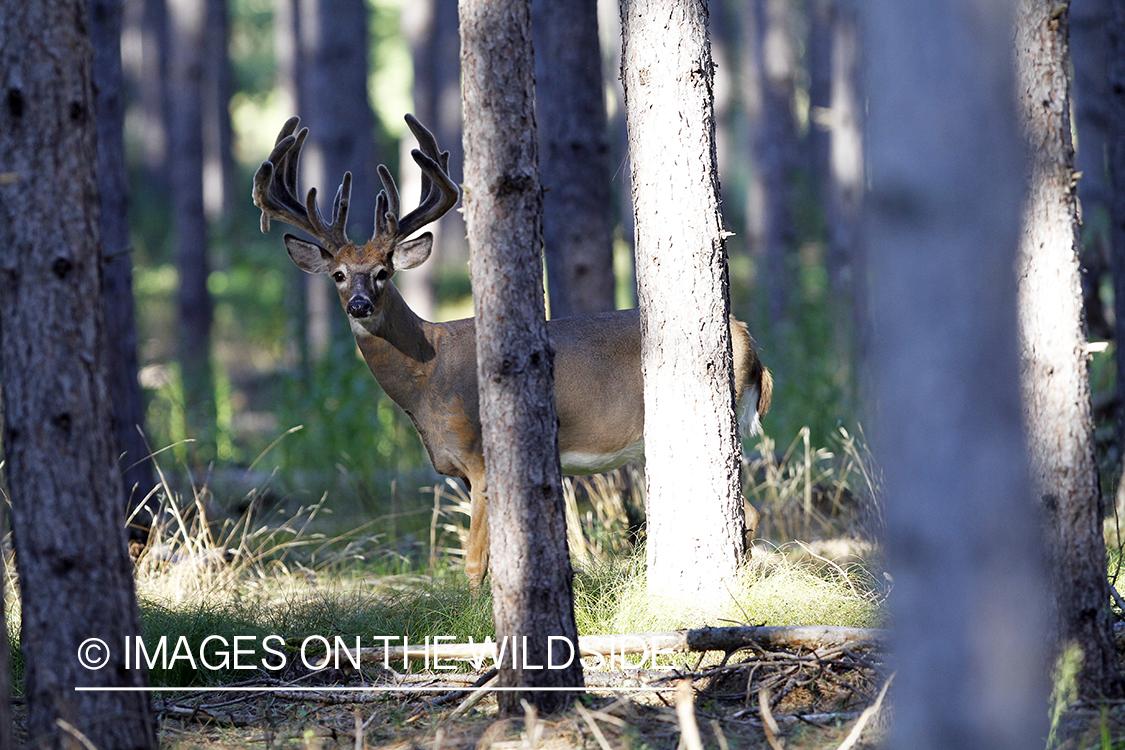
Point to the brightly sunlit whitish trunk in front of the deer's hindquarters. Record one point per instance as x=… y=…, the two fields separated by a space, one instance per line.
x=691 y=437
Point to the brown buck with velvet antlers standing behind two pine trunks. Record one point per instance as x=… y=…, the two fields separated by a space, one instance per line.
x=430 y=369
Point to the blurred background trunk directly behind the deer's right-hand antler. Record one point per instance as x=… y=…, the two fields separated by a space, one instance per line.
x=430 y=28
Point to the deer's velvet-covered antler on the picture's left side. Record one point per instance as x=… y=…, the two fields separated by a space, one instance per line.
x=276 y=193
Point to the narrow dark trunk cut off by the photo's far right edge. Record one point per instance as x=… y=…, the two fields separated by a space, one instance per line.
x=1115 y=162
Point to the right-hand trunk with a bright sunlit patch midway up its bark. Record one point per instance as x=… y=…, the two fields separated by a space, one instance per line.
x=1055 y=373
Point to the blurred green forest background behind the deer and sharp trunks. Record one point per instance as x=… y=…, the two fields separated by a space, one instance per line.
x=238 y=348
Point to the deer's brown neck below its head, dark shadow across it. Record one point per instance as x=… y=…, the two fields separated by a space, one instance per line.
x=399 y=348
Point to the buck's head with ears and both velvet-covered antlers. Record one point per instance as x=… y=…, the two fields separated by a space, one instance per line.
x=362 y=274
